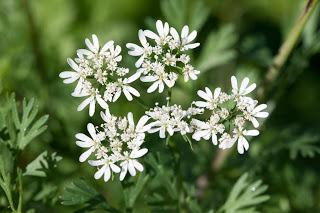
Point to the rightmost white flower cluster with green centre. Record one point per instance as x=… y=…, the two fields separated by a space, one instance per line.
x=230 y=116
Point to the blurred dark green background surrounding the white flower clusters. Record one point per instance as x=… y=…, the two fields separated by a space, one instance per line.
x=237 y=37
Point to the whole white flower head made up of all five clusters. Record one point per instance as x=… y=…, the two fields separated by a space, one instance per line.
x=116 y=145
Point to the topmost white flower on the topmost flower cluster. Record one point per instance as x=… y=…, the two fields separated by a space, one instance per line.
x=163 y=31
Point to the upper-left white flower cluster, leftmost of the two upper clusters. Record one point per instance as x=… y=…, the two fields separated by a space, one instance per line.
x=100 y=78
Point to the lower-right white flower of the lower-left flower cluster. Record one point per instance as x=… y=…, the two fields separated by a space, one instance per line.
x=131 y=163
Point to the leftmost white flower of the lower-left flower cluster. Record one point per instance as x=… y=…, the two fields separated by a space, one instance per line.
x=86 y=142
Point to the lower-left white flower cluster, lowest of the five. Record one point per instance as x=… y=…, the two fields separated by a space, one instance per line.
x=116 y=145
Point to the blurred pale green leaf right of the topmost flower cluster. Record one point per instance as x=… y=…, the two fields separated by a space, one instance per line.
x=218 y=49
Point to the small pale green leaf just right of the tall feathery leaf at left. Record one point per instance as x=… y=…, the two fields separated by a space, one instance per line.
x=42 y=164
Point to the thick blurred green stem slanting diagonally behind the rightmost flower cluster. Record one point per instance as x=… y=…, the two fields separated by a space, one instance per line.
x=274 y=70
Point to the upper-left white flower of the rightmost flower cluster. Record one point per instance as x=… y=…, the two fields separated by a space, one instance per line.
x=211 y=100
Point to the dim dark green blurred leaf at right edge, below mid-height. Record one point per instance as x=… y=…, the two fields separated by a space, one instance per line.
x=306 y=145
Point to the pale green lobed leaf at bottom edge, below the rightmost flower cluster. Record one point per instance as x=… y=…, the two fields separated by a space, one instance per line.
x=245 y=196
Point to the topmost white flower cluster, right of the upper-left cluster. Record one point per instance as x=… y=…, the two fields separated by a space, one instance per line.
x=163 y=57
